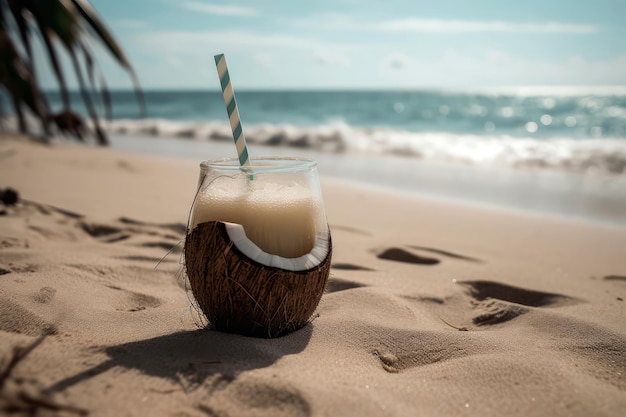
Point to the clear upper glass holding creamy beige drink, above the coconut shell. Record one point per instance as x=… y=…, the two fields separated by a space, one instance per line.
x=278 y=201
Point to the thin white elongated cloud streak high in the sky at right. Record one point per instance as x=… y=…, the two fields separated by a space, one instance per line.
x=465 y=26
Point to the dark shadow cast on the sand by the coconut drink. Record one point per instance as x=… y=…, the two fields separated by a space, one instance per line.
x=190 y=357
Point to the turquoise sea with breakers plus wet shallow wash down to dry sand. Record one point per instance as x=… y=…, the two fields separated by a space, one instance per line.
x=556 y=150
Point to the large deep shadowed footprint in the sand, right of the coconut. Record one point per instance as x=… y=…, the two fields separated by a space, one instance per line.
x=498 y=303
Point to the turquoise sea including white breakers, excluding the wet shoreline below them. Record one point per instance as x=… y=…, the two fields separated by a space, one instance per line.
x=569 y=129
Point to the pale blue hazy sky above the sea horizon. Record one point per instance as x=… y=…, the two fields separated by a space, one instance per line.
x=365 y=44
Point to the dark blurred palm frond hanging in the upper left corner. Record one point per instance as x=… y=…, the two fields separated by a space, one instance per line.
x=64 y=22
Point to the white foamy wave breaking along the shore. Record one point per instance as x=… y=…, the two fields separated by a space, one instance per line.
x=598 y=155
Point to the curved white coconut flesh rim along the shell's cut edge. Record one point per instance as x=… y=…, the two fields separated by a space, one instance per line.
x=310 y=260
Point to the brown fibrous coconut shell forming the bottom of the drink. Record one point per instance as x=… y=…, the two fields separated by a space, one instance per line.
x=239 y=295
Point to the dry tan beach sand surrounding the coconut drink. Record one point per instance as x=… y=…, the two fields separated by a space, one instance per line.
x=432 y=308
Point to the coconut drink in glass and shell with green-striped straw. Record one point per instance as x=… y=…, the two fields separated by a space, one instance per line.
x=258 y=247
